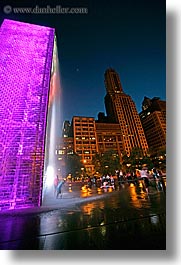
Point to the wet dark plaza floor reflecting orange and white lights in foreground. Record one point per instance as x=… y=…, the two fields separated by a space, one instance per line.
x=125 y=218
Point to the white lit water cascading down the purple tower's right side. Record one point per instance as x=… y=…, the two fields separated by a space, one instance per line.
x=53 y=129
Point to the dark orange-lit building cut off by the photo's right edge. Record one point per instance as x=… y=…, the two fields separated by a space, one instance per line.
x=153 y=118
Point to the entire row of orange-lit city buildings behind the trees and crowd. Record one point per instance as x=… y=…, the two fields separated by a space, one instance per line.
x=121 y=130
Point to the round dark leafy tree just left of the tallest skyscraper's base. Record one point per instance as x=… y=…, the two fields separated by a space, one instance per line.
x=107 y=162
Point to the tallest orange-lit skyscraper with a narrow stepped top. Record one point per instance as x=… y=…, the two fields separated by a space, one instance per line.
x=121 y=108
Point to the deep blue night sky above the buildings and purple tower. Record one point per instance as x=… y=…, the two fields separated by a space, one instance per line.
x=129 y=36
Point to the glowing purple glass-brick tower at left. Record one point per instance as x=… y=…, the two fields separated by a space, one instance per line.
x=26 y=53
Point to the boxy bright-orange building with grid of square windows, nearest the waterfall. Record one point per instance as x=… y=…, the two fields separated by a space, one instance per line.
x=85 y=145
